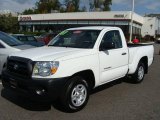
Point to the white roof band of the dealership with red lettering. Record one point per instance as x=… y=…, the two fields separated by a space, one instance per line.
x=107 y=15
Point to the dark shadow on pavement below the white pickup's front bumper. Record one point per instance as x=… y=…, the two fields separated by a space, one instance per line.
x=24 y=102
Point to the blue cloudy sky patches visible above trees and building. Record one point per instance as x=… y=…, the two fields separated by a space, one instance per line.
x=141 y=6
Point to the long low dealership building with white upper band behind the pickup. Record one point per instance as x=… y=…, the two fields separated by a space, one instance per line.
x=60 y=21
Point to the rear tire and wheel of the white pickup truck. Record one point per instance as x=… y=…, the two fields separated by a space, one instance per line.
x=138 y=76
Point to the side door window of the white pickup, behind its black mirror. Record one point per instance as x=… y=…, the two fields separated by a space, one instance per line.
x=112 y=37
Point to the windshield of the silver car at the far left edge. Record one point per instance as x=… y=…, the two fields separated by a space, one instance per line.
x=9 y=39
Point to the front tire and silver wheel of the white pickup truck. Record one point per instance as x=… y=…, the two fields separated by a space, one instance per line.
x=75 y=95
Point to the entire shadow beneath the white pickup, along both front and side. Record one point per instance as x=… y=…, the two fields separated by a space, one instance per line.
x=28 y=104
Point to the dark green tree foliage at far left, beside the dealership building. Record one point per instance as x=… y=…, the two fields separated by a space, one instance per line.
x=8 y=23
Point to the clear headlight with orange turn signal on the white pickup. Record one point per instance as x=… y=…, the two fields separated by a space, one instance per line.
x=45 y=68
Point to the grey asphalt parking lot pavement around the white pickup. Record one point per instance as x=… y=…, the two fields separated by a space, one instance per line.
x=119 y=100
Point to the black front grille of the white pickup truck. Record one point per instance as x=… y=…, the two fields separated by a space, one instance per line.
x=19 y=66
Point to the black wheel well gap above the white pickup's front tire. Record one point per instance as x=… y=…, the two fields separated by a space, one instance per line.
x=88 y=76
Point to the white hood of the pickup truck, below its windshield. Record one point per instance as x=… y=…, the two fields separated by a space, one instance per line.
x=52 y=53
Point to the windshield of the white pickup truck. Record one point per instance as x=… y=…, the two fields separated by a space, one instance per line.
x=76 y=39
